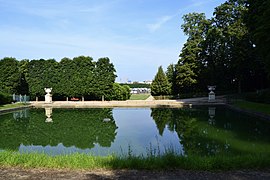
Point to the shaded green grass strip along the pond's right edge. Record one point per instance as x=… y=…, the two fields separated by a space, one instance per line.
x=257 y=107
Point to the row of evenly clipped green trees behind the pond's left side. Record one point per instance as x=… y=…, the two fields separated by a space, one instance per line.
x=77 y=77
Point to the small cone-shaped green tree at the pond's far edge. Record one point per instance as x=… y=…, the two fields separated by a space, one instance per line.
x=160 y=84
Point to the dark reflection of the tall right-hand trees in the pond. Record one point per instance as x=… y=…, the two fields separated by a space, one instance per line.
x=230 y=134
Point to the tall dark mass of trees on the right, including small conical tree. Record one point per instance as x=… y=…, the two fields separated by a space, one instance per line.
x=229 y=50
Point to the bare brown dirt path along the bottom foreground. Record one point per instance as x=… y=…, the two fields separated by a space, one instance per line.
x=19 y=173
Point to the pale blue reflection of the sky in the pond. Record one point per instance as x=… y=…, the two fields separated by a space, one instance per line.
x=136 y=130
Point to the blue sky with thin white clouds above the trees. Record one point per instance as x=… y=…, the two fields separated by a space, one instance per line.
x=137 y=35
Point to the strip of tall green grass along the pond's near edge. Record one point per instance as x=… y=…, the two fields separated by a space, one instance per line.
x=168 y=161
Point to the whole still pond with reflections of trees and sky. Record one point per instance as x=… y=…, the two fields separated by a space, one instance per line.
x=138 y=131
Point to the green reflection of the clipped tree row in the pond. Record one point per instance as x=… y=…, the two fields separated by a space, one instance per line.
x=81 y=128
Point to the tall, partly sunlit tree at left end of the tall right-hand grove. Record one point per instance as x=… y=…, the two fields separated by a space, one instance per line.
x=188 y=66
